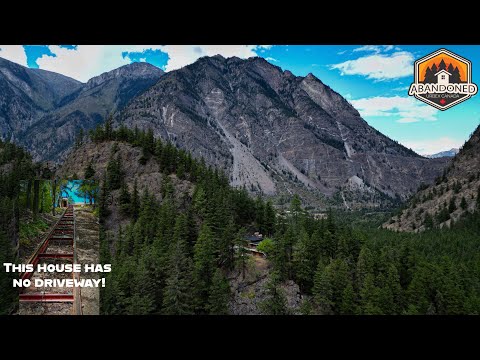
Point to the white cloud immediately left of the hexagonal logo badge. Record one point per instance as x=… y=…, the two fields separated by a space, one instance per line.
x=378 y=66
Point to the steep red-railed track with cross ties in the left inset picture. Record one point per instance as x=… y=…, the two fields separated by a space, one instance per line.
x=59 y=245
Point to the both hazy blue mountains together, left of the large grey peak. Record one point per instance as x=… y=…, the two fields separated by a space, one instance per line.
x=44 y=111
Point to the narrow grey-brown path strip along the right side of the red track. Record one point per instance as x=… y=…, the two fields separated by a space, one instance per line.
x=88 y=249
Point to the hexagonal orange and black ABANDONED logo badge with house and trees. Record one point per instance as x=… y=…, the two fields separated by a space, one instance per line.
x=443 y=79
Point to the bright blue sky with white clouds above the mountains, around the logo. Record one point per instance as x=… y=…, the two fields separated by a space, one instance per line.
x=374 y=78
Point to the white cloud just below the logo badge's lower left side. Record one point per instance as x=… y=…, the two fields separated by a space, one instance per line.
x=407 y=109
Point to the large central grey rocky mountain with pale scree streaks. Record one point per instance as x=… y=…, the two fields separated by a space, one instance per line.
x=277 y=133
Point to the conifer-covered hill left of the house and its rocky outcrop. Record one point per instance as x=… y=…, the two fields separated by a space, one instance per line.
x=173 y=255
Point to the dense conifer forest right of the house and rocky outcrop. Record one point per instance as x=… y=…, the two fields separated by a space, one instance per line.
x=376 y=271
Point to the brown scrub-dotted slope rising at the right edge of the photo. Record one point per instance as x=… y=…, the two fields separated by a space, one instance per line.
x=453 y=194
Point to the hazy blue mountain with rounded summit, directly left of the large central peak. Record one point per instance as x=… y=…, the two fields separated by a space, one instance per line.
x=53 y=135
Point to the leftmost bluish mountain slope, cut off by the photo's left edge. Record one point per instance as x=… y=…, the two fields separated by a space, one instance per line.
x=27 y=94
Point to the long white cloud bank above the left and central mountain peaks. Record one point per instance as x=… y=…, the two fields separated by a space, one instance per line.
x=87 y=61
